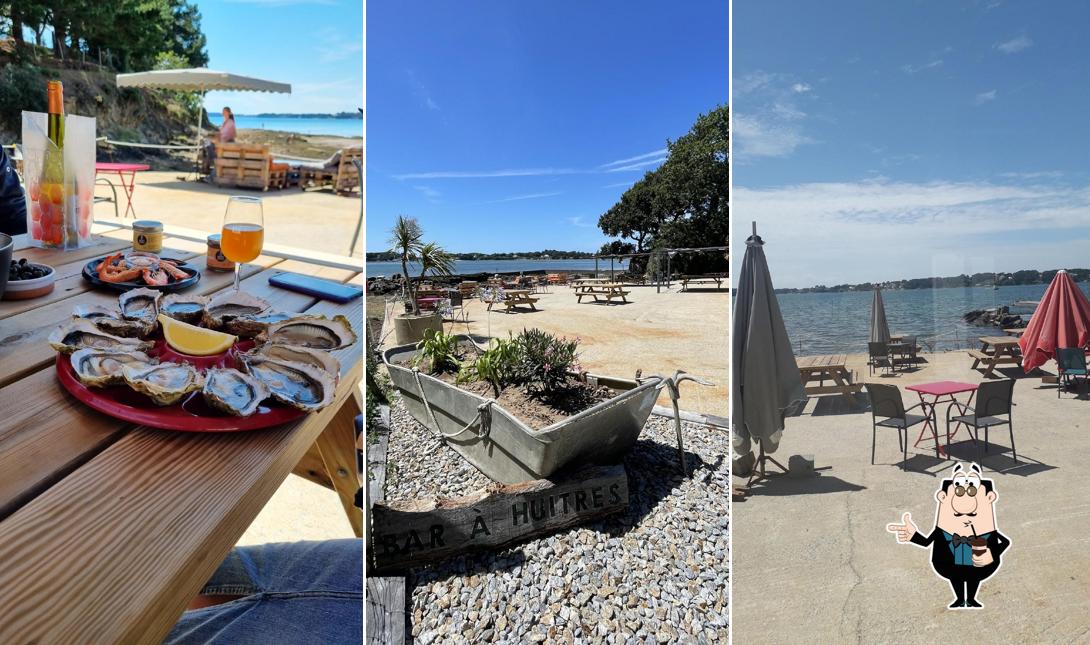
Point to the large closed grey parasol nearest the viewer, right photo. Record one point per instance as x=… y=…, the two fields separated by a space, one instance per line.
x=766 y=379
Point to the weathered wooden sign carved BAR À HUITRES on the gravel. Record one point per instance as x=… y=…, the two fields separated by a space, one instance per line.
x=410 y=533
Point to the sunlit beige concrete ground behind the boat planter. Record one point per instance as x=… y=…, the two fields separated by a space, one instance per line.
x=657 y=333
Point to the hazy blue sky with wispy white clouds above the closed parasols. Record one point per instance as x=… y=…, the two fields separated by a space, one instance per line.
x=876 y=141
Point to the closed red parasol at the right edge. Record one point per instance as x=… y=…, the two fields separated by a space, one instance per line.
x=1062 y=320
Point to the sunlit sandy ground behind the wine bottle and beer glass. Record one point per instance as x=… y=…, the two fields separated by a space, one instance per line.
x=317 y=221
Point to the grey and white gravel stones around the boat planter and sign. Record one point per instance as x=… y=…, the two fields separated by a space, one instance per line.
x=657 y=571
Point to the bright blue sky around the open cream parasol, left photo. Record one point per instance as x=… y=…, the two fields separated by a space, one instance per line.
x=314 y=45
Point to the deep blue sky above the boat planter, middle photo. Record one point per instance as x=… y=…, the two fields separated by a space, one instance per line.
x=514 y=126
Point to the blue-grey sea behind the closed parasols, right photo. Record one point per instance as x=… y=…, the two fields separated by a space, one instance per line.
x=840 y=323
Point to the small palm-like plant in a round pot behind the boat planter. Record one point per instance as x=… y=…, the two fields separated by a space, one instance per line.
x=407 y=241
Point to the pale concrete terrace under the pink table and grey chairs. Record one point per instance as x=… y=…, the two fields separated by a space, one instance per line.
x=814 y=562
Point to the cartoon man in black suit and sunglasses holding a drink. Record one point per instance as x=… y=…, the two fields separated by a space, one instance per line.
x=965 y=545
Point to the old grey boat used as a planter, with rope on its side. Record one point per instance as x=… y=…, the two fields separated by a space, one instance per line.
x=505 y=448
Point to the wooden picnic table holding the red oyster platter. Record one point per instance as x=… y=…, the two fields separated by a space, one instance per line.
x=110 y=530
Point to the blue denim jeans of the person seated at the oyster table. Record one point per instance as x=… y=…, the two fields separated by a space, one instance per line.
x=305 y=592
